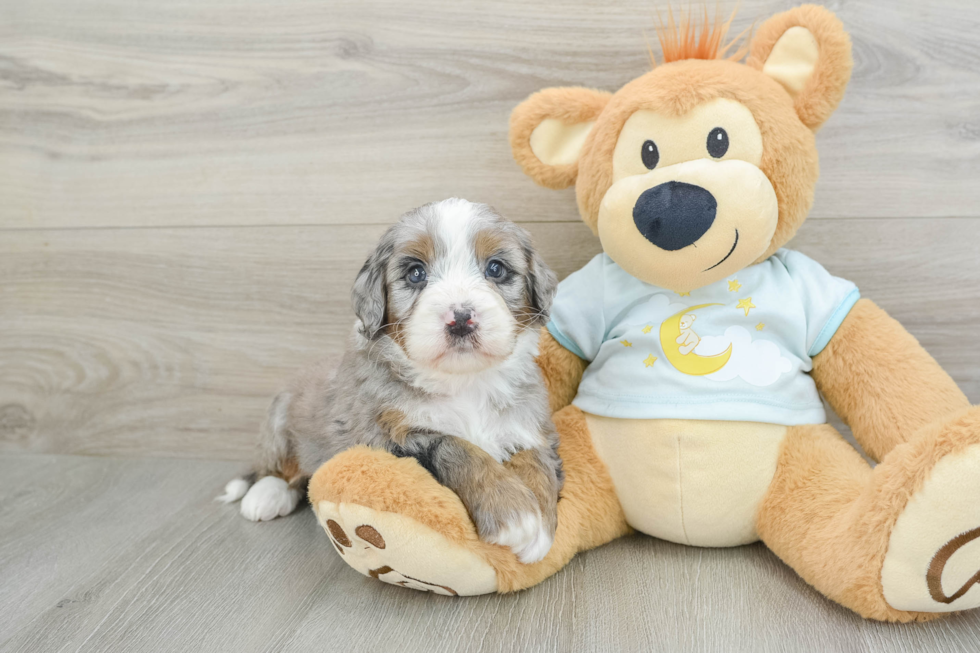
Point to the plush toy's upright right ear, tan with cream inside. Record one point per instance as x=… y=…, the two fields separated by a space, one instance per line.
x=808 y=52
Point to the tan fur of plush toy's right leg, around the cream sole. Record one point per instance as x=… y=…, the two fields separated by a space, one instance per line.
x=829 y=516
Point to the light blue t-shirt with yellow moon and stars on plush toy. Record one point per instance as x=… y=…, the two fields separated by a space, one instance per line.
x=738 y=349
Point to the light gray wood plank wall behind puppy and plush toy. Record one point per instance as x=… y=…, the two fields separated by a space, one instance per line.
x=188 y=187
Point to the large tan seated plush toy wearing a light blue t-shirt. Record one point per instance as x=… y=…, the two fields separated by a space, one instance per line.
x=686 y=362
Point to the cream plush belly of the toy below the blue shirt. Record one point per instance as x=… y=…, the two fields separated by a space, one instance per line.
x=691 y=482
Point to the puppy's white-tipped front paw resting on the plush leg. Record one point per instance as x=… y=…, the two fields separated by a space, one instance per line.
x=509 y=515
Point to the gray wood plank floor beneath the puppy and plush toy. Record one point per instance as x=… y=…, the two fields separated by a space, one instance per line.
x=107 y=554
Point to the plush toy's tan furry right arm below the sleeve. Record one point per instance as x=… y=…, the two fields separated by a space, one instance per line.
x=881 y=381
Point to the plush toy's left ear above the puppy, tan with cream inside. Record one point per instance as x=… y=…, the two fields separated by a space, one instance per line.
x=548 y=130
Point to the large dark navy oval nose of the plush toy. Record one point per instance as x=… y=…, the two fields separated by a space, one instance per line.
x=674 y=215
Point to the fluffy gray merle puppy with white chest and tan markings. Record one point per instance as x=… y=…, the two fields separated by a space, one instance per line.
x=440 y=367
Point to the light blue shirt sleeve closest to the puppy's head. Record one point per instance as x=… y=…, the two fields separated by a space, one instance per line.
x=577 y=320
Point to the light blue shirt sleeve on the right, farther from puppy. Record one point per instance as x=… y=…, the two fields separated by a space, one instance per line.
x=826 y=299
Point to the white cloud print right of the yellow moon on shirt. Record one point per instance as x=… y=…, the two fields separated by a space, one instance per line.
x=758 y=362
